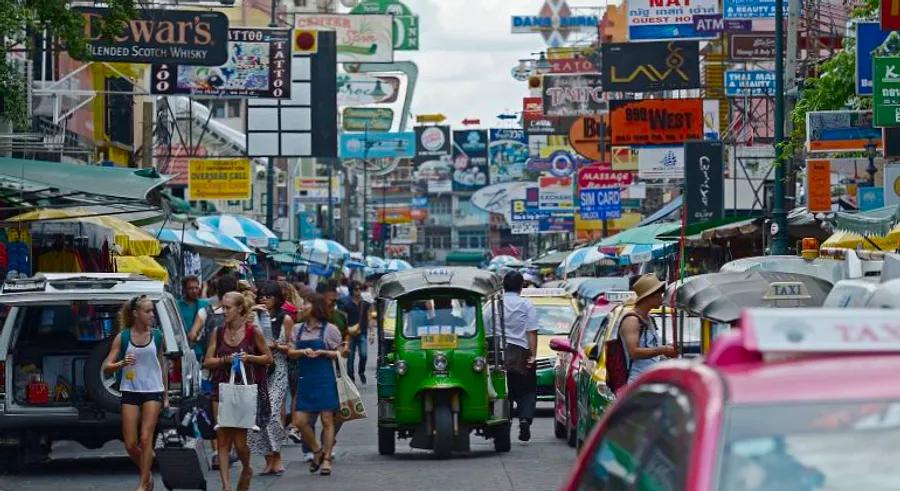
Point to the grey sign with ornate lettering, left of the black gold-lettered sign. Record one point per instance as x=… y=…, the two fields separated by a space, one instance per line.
x=573 y=95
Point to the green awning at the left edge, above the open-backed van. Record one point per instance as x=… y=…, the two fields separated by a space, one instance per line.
x=120 y=182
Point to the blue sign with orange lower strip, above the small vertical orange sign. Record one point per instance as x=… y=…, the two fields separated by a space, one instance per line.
x=840 y=131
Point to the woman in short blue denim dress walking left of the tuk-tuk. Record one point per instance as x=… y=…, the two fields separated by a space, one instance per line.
x=315 y=346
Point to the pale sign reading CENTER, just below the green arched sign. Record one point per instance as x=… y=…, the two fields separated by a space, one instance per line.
x=360 y=38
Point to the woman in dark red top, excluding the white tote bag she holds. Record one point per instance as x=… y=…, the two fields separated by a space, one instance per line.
x=237 y=339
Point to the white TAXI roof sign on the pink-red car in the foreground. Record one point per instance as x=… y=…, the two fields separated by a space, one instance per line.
x=821 y=330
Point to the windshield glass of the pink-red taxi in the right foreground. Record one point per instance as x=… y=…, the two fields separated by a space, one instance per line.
x=812 y=446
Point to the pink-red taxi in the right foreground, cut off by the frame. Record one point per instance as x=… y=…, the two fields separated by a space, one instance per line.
x=794 y=400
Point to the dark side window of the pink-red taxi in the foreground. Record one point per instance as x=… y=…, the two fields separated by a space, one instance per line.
x=646 y=444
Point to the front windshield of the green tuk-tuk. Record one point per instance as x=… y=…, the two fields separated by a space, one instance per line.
x=440 y=316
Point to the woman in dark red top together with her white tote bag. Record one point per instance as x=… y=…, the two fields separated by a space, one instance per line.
x=237 y=352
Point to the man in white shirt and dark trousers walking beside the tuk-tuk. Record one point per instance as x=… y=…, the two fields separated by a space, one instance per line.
x=521 y=326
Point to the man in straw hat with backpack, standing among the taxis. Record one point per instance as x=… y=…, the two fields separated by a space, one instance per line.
x=638 y=332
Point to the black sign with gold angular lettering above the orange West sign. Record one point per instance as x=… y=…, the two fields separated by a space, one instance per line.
x=649 y=67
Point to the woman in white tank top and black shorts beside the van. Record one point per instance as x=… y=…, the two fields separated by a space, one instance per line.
x=136 y=356
